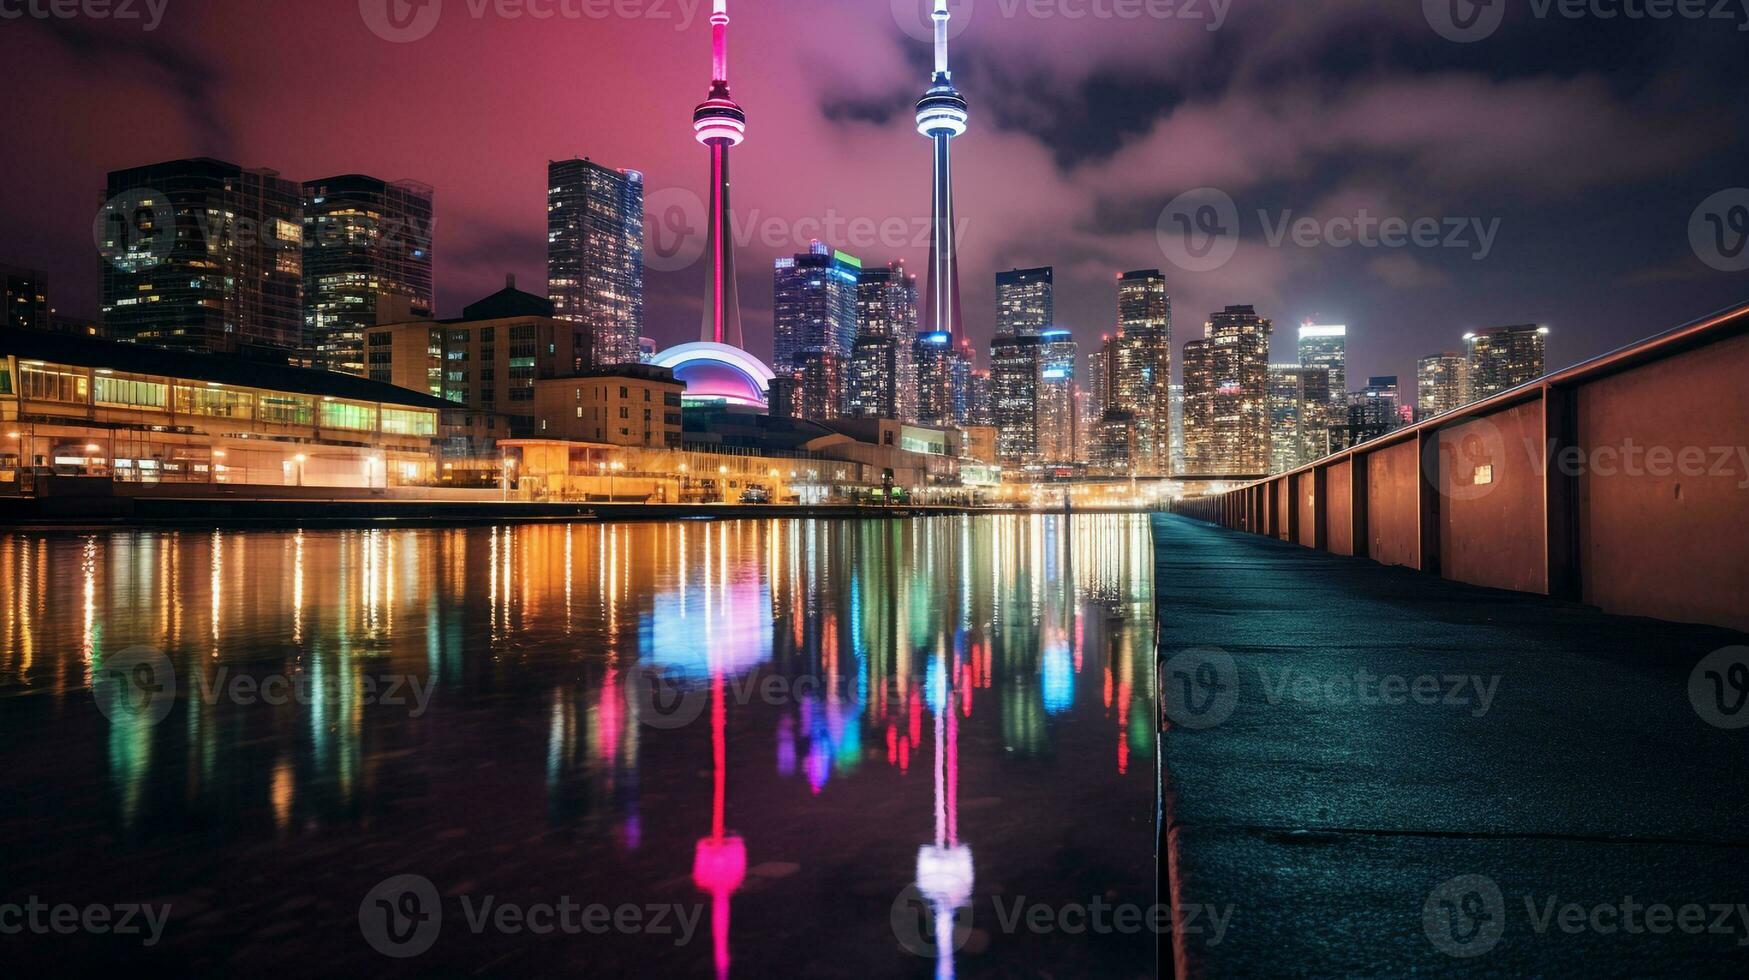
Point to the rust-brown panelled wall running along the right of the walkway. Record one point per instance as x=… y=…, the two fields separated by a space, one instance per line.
x=1622 y=482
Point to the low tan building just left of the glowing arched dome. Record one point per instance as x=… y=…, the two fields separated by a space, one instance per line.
x=625 y=405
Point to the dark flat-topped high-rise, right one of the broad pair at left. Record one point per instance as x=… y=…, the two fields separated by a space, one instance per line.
x=365 y=239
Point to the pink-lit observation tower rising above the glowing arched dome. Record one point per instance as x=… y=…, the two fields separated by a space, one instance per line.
x=720 y=123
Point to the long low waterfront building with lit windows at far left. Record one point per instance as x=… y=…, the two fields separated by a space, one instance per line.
x=81 y=409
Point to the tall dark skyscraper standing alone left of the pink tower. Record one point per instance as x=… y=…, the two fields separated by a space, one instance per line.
x=596 y=255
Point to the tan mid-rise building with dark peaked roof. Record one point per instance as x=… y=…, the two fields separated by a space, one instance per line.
x=484 y=363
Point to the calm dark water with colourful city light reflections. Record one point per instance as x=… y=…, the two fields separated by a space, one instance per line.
x=744 y=748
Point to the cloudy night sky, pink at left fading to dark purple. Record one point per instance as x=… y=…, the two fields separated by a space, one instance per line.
x=1571 y=171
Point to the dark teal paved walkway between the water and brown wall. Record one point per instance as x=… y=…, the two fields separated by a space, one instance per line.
x=1379 y=773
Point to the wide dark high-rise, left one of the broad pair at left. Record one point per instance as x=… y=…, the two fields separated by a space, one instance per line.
x=204 y=255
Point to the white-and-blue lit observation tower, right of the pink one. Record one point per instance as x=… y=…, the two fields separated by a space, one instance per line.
x=942 y=116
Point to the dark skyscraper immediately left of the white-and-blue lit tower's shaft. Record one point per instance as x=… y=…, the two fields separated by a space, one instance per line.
x=886 y=386
